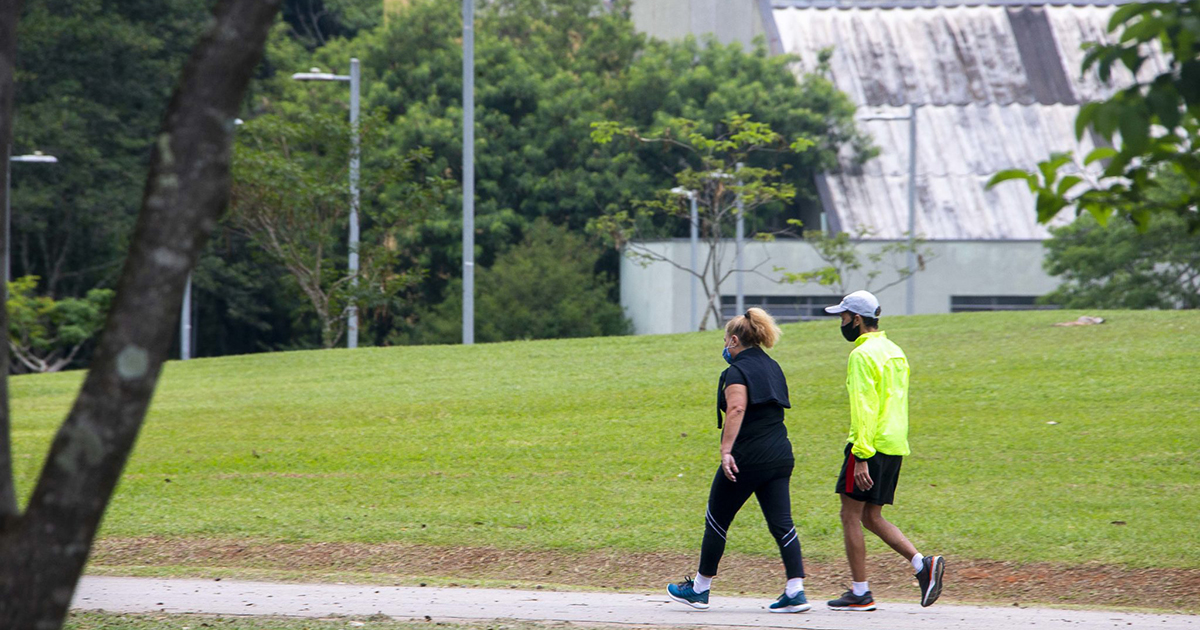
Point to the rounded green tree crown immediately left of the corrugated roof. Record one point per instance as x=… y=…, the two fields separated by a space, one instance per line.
x=710 y=83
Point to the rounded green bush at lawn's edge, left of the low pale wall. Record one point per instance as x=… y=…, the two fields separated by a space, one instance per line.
x=547 y=287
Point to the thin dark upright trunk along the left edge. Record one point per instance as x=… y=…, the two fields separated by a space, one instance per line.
x=10 y=10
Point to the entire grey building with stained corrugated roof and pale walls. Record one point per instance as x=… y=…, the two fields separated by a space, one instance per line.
x=997 y=85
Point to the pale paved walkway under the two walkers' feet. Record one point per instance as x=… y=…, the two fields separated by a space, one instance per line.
x=141 y=595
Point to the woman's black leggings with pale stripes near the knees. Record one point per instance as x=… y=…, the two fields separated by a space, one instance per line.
x=728 y=497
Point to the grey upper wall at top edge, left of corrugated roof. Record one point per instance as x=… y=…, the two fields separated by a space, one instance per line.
x=731 y=21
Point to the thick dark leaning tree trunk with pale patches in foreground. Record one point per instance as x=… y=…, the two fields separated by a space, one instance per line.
x=43 y=553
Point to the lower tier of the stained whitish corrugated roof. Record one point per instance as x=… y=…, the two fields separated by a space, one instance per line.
x=958 y=151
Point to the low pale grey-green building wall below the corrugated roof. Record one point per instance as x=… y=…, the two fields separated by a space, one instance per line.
x=657 y=297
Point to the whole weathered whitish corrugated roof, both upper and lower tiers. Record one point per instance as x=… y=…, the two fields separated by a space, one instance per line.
x=999 y=87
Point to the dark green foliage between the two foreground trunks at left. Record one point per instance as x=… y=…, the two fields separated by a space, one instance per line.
x=92 y=85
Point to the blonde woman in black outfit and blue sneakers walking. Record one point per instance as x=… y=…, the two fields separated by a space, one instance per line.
x=757 y=459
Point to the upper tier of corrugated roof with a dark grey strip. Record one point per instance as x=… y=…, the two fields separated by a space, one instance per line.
x=955 y=56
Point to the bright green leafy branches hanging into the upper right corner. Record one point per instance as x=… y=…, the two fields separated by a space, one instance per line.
x=1154 y=127
